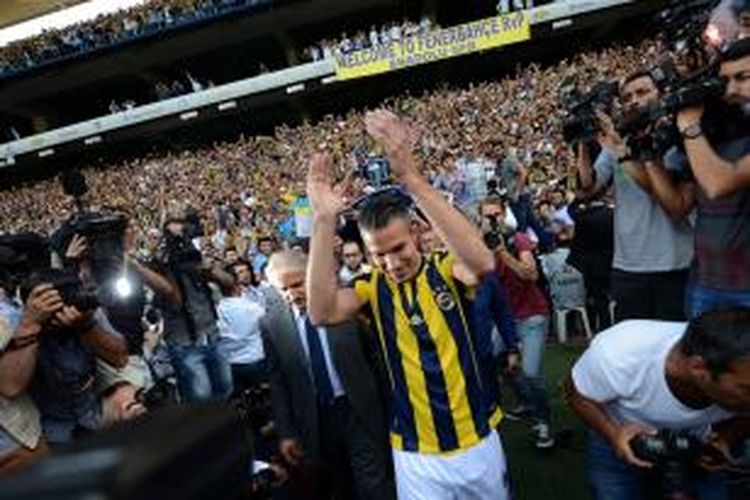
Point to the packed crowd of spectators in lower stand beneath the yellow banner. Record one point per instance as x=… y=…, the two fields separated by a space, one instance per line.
x=245 y=189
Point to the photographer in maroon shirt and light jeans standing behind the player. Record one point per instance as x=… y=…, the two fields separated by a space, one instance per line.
x=518 y=270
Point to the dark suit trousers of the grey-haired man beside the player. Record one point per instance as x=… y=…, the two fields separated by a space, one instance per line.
x=354 y=465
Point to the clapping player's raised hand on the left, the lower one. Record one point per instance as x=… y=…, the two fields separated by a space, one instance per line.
x=325 y=197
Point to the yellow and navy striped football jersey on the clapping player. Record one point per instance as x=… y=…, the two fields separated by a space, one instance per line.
x=439 y=399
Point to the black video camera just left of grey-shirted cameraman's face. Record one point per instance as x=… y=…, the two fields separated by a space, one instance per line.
x=581 y=123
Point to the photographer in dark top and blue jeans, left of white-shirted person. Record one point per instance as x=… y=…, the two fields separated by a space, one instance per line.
x=190 y=323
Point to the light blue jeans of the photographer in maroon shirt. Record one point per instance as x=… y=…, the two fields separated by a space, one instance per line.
x=529 y=385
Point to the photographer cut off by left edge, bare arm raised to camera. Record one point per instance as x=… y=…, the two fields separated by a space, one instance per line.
x=21 y=441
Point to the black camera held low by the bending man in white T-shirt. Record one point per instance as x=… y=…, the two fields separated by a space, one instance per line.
x=674 y=453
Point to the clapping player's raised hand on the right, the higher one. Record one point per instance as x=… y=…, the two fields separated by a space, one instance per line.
x=397 y=138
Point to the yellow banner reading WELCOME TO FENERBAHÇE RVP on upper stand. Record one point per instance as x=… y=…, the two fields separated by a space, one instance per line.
x=435 y=45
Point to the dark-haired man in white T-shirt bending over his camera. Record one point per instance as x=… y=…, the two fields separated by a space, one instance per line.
x=641 y=376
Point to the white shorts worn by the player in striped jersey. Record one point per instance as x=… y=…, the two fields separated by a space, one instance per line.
x=479 y=473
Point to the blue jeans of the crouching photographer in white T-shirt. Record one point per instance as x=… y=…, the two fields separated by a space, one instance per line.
x=611 y=478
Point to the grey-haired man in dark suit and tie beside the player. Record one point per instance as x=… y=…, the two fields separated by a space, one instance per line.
x=324 y=393
